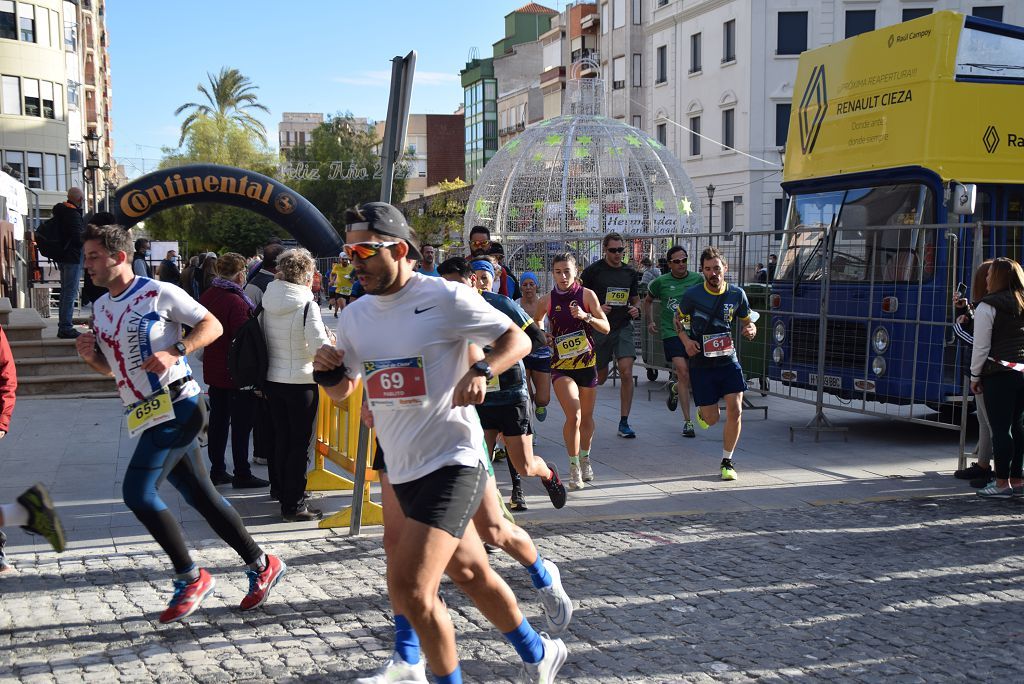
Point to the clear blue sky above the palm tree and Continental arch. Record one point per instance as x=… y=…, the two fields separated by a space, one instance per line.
x=306 y=56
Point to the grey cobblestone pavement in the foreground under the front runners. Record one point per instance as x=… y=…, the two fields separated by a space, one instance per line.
x=906 y=591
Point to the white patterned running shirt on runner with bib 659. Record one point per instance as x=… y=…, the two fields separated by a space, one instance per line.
x=145 y=319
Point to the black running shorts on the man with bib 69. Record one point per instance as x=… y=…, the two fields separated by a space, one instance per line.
x=446 y=499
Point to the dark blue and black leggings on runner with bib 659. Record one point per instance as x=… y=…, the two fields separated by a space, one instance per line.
x=172 y=452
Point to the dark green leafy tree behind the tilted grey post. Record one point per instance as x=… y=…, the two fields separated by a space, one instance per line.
x=340 y=168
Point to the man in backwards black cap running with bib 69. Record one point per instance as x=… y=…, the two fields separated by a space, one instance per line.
x=409 y=343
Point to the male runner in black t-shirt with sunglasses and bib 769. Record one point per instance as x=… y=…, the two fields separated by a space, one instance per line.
x=618 y=288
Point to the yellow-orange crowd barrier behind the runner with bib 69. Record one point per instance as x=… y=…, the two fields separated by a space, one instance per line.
x=338 y=442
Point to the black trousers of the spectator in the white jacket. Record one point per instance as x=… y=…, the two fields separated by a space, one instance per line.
x=293 y=409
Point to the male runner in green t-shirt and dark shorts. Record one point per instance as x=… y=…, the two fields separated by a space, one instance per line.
x=670 y=289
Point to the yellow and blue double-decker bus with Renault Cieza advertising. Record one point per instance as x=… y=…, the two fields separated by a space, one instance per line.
x=905 y=169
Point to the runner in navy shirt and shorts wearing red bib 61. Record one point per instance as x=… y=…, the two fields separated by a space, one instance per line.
x=707 y=314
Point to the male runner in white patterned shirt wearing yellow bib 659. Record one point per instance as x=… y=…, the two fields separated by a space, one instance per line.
x=137 y=338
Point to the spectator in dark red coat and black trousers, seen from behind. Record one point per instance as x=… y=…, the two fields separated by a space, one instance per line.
x=231 y=407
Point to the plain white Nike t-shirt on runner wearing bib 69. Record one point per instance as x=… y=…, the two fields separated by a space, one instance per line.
x=411 y=350
